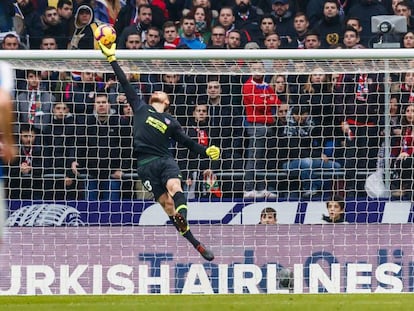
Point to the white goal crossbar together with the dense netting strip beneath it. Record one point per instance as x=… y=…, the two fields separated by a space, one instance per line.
x=217 y=61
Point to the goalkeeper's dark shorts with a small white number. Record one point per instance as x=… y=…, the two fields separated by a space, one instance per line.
x=155 y=174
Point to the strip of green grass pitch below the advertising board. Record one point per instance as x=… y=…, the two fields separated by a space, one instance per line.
x=354 y=302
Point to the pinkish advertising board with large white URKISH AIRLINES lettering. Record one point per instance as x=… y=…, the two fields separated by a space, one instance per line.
x=352 y=258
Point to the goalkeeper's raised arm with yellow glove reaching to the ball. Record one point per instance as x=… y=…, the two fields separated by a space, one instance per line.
x=132 y=97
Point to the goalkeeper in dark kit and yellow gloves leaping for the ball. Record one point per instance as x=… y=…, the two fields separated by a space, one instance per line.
x=158 y=170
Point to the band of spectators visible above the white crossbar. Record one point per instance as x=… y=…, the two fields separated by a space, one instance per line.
x=200 y=23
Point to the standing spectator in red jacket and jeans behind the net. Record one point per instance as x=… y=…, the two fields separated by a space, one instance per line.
x=258 y=100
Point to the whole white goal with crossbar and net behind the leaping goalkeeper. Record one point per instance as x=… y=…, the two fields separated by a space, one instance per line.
x=296 y=129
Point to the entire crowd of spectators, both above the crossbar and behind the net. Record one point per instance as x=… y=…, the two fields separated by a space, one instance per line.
x=74 y=128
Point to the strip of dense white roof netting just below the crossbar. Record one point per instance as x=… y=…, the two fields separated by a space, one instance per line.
x=219 y=66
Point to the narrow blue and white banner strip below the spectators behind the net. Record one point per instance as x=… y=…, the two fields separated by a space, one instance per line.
x=33 y=213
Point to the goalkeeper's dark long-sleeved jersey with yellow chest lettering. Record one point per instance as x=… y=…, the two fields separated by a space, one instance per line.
x=153 y=130
